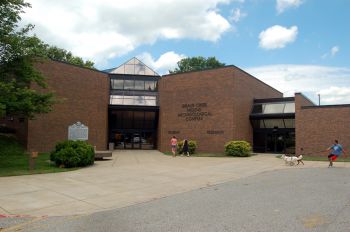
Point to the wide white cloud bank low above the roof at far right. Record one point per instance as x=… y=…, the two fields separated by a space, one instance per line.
x=333 y=83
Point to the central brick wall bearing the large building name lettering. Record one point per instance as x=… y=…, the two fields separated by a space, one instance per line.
x=228 y=94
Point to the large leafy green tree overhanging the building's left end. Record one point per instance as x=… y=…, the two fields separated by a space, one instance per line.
x=18 y=54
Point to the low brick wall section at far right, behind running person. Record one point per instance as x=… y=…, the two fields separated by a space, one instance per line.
x=318 y=127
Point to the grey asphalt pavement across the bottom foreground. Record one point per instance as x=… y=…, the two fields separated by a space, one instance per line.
x=303 y=199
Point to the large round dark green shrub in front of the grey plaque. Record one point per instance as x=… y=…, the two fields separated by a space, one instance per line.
x=73 y=154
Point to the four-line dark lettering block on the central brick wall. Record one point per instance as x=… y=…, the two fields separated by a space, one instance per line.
x=194 y=112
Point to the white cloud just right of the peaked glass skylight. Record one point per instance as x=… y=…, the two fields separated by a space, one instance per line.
x=167 y=61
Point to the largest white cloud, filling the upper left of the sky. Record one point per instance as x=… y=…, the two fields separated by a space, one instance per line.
x=103 y=29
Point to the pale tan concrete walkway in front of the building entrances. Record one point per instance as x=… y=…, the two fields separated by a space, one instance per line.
x=130 y=177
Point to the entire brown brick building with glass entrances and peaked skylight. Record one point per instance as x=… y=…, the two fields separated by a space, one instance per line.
x=132 y=107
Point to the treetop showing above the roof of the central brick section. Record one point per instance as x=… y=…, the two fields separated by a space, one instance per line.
x=196 y=63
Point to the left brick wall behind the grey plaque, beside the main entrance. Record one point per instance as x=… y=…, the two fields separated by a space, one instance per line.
x=83 y=96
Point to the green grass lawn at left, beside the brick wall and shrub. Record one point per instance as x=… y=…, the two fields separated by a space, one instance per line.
x=14 y=160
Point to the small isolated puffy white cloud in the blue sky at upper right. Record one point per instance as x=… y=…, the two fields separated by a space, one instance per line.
x=277 y=37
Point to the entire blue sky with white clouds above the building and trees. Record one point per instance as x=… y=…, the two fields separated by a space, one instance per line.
x=292 y=45
